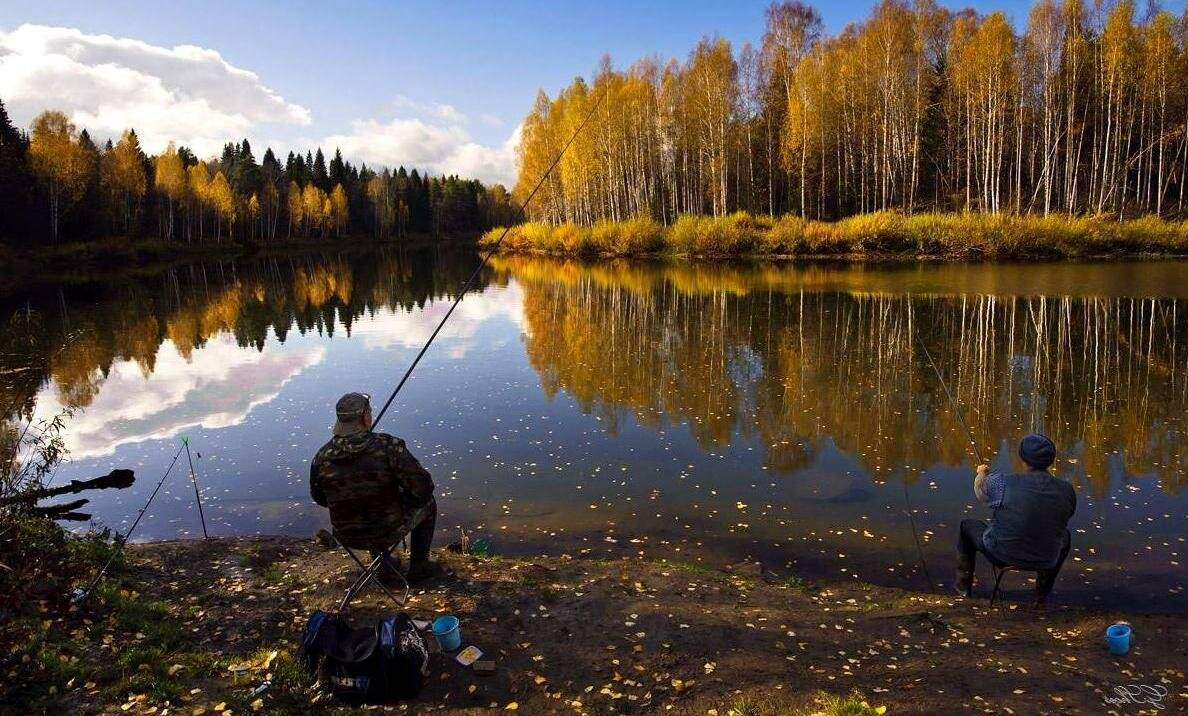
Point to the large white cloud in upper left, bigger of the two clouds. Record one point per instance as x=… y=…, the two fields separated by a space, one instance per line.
x=109 y=85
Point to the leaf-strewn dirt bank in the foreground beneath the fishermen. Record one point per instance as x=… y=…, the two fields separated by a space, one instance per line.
x=198 y=626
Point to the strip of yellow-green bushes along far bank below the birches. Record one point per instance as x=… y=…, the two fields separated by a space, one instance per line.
x=882 y=235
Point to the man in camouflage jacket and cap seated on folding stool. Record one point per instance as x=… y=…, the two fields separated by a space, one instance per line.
x=376 y=490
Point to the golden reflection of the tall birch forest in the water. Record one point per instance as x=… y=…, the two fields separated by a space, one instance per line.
x=761 y=353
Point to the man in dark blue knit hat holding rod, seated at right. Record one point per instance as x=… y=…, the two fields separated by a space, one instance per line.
x=1029 y=529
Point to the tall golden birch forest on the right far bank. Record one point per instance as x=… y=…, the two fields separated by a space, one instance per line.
x=1073 y=110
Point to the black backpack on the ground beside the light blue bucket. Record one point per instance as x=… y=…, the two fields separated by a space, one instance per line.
x=386 y=662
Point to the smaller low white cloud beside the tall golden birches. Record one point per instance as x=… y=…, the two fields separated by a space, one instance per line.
x=439 y=147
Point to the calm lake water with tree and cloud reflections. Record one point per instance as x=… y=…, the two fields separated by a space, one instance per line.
x=696 y=411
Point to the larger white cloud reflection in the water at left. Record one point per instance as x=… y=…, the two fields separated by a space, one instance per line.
x=218 y=388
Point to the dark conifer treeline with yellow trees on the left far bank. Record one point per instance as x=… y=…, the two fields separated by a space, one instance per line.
x=58 y=185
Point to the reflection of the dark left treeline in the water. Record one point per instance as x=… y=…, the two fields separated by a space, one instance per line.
x=74 y=335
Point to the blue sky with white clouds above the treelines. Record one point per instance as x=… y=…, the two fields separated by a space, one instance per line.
x=432 y=84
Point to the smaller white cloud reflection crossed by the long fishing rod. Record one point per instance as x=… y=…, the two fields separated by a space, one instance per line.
x=388 y=330
